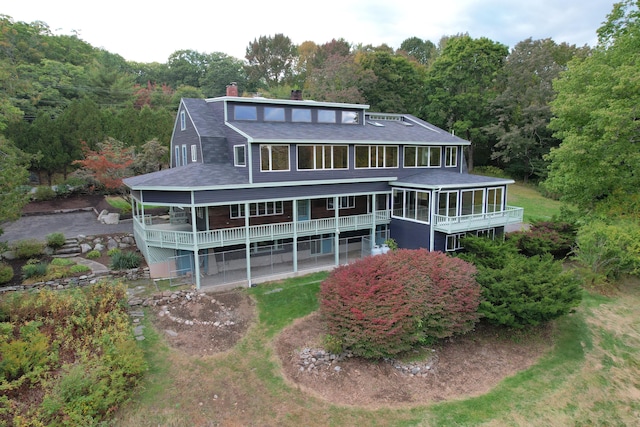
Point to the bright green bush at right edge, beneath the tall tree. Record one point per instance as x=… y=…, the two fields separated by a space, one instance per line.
x=606 y=251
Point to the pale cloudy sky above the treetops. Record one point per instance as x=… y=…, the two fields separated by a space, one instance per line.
x=147 y=31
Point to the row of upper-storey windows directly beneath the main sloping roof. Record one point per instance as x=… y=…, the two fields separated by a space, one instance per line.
x=275 y=157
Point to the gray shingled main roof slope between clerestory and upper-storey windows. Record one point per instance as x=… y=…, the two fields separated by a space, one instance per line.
x=390 y=132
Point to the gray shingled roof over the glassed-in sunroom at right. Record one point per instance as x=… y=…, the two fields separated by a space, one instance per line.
x=434 y=178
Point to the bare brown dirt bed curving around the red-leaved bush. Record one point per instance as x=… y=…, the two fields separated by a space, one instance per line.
x=464 y=366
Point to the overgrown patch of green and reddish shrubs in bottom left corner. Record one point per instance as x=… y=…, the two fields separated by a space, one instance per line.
x=91 y=327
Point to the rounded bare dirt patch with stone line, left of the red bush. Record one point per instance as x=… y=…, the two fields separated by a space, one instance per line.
x=206 y=324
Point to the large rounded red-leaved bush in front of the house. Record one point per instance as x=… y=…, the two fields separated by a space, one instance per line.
x=384 y=305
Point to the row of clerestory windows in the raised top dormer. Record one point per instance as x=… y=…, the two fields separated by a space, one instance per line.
x=299 y=115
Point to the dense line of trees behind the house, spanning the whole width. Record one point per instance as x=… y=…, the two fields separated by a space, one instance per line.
x=58 y=91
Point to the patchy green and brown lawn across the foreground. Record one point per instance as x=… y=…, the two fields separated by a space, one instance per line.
x=591 y=377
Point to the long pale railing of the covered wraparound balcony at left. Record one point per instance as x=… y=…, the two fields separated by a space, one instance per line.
x=178 y=239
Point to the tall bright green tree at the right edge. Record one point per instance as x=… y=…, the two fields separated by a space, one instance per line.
x=597 y=115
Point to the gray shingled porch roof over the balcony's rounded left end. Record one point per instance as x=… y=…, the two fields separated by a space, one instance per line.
x=188 y=177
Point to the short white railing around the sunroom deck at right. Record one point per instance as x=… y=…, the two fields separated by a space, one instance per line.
x=462 y=223
